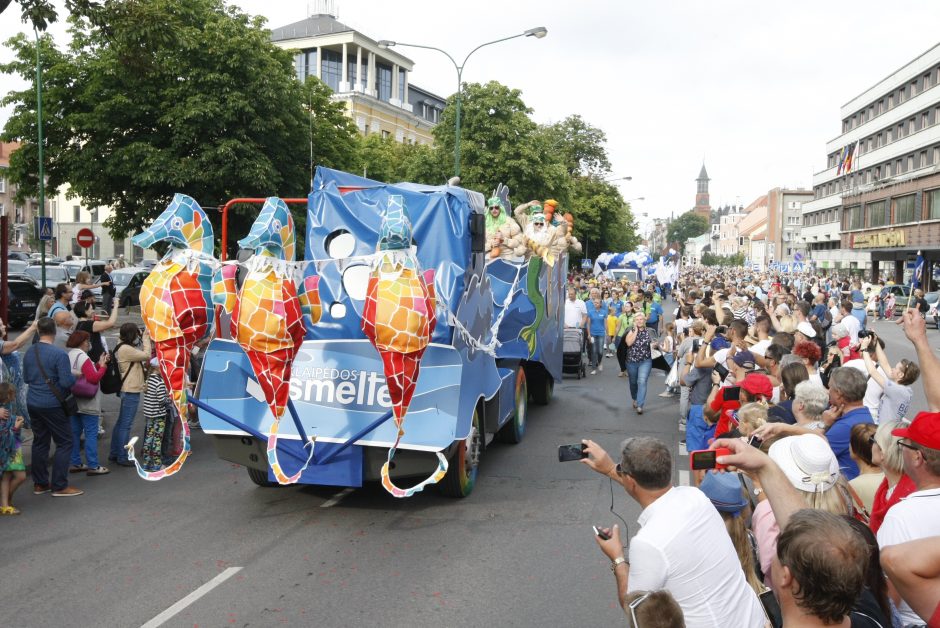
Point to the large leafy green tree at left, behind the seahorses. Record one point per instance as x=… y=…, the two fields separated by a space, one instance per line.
x=173 y=96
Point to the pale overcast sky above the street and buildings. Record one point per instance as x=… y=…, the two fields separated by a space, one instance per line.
x=754 y=87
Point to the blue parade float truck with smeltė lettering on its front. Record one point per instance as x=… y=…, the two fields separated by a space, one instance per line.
x=496 y=346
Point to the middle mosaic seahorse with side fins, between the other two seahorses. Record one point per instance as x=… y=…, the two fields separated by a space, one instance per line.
x=268 y=315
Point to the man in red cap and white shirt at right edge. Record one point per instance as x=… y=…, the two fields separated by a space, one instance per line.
x=916 y=516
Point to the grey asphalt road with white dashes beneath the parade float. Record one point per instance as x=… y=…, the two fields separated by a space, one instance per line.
x=221 y=551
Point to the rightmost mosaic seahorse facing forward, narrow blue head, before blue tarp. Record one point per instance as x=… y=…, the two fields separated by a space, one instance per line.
x=398 y=318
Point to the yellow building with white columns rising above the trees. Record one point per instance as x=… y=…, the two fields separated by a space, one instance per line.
x=373 y=83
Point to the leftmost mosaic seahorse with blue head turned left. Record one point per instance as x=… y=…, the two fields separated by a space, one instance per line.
x=176 y=305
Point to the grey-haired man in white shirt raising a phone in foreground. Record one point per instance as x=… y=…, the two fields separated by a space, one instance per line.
x=682 y=546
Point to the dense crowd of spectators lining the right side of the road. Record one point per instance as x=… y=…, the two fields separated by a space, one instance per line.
x=824 y=506
